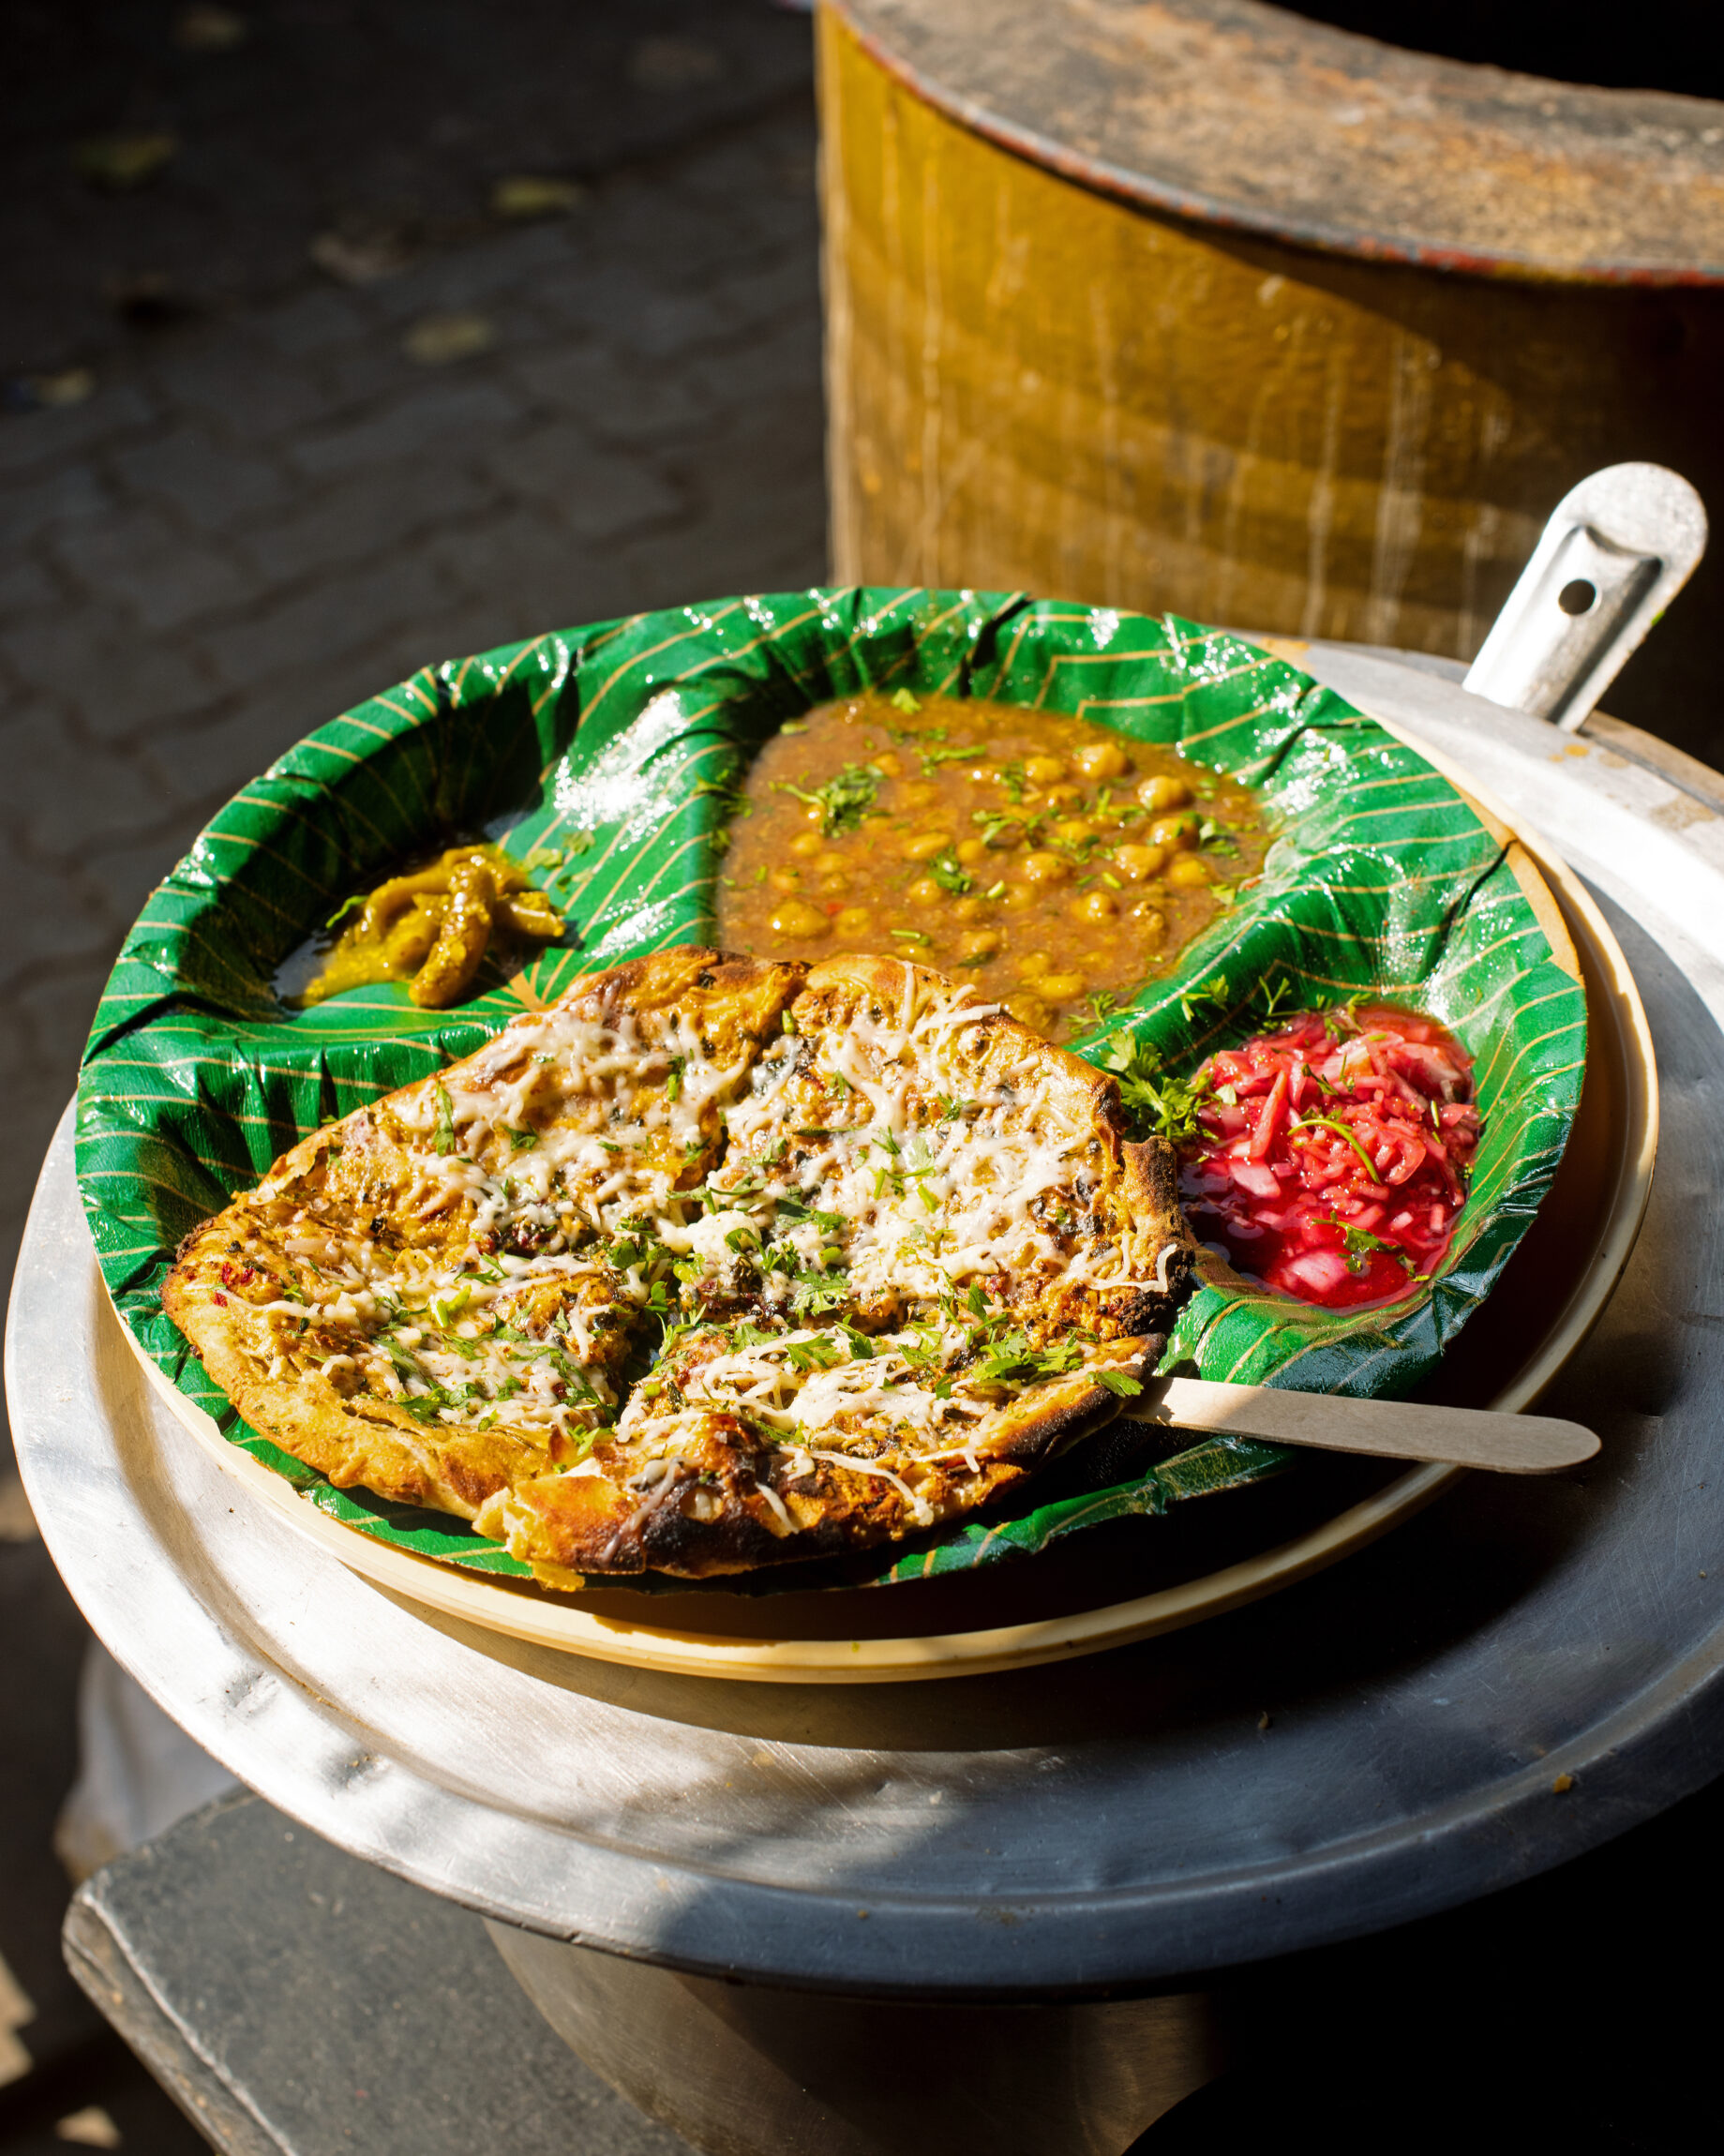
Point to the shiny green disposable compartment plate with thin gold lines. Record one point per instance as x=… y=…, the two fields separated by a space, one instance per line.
x=600 y=758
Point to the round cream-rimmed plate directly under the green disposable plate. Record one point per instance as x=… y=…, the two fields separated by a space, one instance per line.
x=1542 y=1312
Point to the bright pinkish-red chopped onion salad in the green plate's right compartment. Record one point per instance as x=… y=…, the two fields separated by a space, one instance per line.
x=1333 y=1157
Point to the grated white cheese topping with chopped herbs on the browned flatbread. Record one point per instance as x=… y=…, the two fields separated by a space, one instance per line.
x=557 y=1159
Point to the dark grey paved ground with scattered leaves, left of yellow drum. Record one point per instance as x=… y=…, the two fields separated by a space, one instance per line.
x=286 y=490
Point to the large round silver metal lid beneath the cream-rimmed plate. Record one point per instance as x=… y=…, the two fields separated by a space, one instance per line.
x=1117 y=1823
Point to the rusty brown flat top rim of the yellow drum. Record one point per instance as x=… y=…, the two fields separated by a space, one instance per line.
x=1245 y=115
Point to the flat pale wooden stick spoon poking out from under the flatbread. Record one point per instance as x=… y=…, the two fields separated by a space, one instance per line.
x=1387 y=1428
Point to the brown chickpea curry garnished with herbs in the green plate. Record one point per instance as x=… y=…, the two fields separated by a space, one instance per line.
x=1046 y=859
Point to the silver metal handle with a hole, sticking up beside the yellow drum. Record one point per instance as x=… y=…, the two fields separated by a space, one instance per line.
x=1613 y=557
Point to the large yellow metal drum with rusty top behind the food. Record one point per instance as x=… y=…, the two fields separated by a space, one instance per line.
x=1141 y=307
